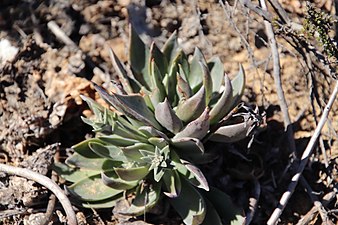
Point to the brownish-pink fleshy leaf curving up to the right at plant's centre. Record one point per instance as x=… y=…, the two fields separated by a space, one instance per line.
x=197 y=128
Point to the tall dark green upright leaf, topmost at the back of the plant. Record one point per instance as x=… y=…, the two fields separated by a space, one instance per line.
x=139 y=58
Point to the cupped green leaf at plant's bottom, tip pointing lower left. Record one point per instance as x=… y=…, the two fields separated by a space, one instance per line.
x=145 y=199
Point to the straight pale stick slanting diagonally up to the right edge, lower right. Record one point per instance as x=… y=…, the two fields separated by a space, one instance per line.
x=305 y=157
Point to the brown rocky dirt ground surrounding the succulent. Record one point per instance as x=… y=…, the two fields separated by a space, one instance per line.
x=42 y=77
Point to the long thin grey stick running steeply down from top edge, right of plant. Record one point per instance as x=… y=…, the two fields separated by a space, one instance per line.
x=278 y=82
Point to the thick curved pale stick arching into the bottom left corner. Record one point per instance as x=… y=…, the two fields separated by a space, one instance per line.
x=48 y=183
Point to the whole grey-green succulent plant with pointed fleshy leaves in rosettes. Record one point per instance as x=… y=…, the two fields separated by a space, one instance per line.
x=163 y=111
